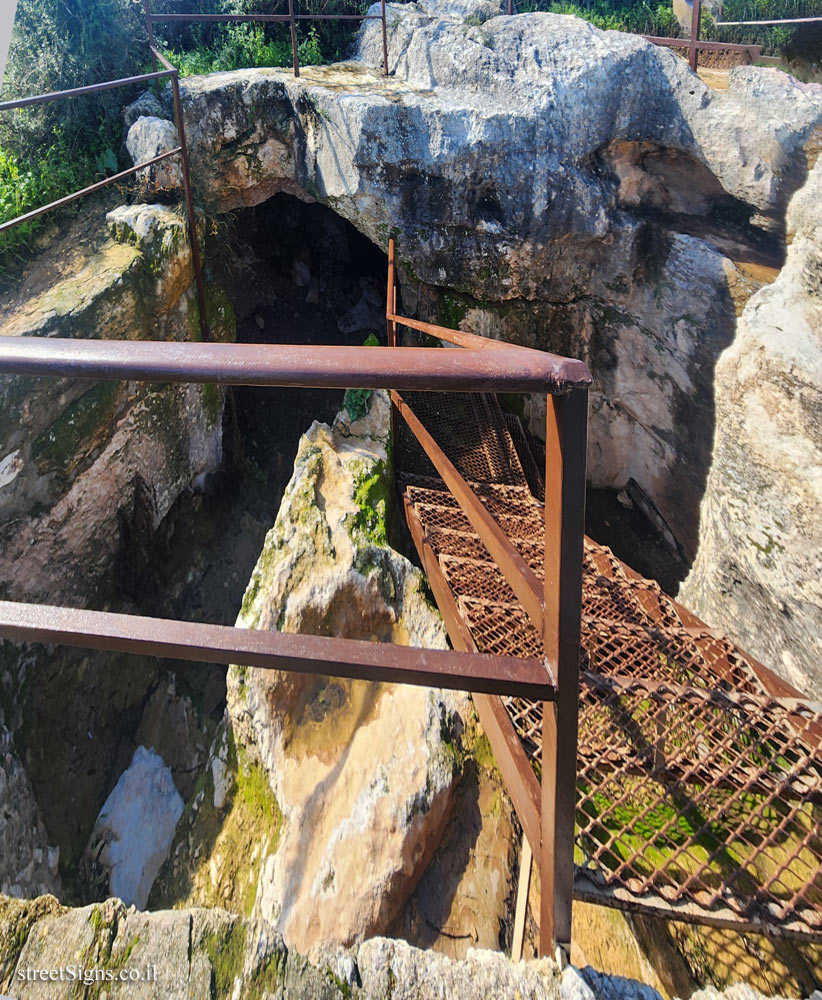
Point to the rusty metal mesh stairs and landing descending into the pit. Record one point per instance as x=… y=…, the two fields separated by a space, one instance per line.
x=699 y=782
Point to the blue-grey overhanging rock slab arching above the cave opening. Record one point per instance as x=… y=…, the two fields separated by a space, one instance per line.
x=484 y=142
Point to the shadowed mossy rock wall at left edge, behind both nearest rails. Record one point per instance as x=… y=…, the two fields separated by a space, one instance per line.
x=89 y=472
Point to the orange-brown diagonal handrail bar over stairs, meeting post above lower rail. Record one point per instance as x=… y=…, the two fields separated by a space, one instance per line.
x=505 y=554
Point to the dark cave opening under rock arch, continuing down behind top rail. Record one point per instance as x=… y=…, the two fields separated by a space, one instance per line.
x=295 y=273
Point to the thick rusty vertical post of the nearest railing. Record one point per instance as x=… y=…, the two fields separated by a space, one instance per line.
x=565 y=447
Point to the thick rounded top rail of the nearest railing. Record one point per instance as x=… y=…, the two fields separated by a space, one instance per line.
x=510 y=369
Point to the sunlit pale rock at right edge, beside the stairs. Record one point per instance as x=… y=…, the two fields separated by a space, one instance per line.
x=758 y=573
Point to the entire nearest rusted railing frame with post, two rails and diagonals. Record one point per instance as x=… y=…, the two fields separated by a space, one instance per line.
x=478 y=365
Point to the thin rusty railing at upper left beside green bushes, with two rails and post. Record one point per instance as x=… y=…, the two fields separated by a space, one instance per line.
x=168 y=72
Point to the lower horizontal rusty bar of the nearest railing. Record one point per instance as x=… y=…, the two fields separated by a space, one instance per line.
x=372 y=661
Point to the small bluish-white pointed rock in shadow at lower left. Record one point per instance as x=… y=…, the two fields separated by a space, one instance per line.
x=135 y=828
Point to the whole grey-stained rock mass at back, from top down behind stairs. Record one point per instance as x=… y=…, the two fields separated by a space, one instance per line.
x=551 y=184
